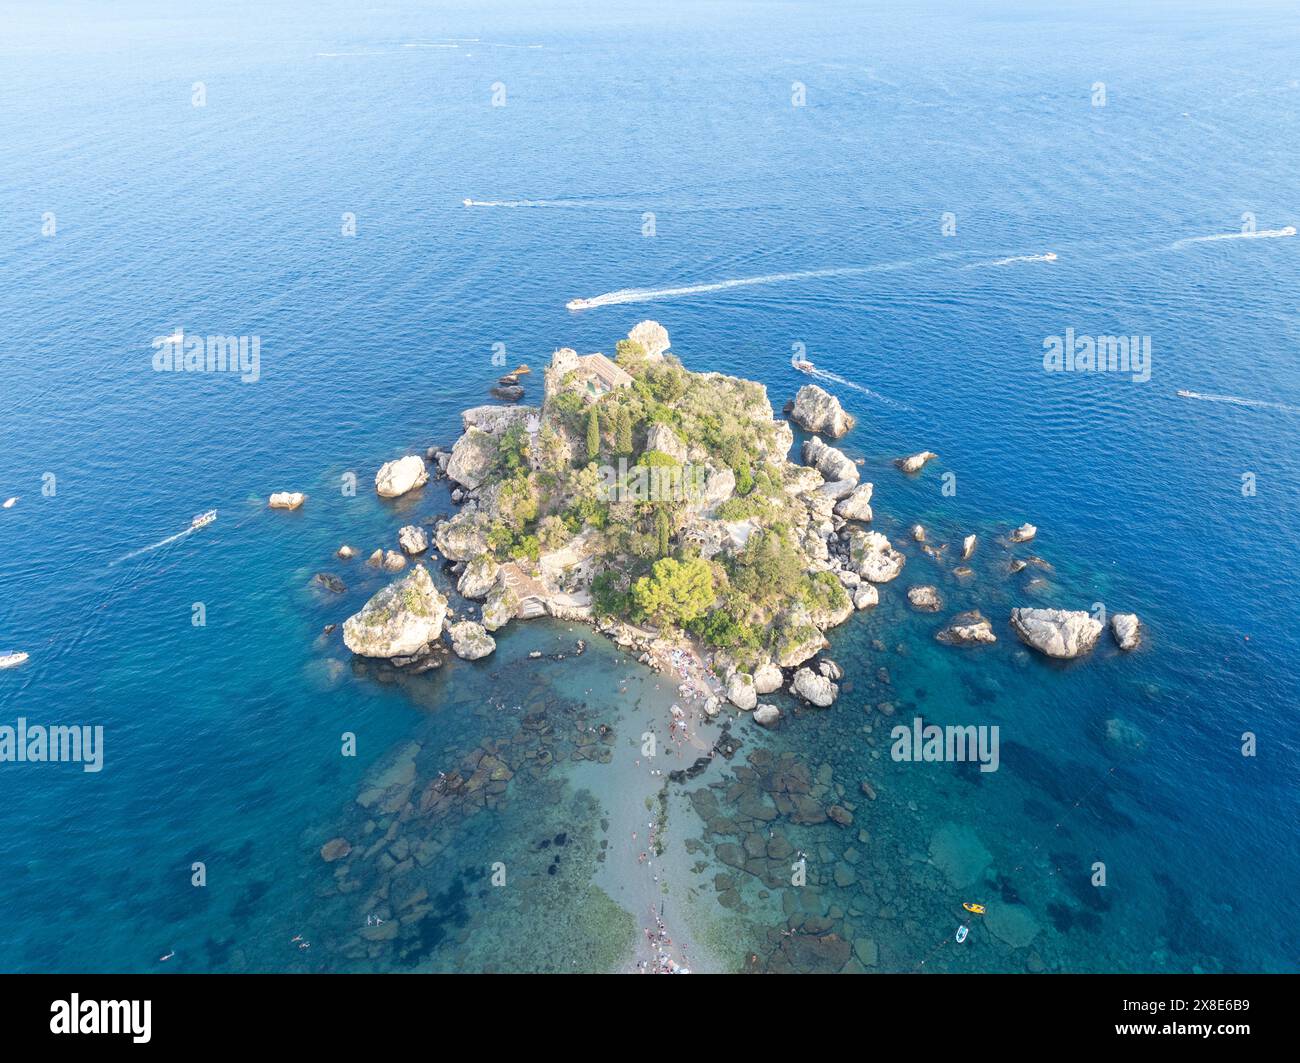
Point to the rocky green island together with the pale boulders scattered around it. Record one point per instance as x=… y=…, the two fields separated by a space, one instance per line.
x=661 y=506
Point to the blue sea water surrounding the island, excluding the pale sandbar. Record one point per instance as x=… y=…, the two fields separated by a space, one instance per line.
x=223 y=741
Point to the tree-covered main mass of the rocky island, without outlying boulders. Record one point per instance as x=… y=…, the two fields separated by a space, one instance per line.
x=632 y=463
